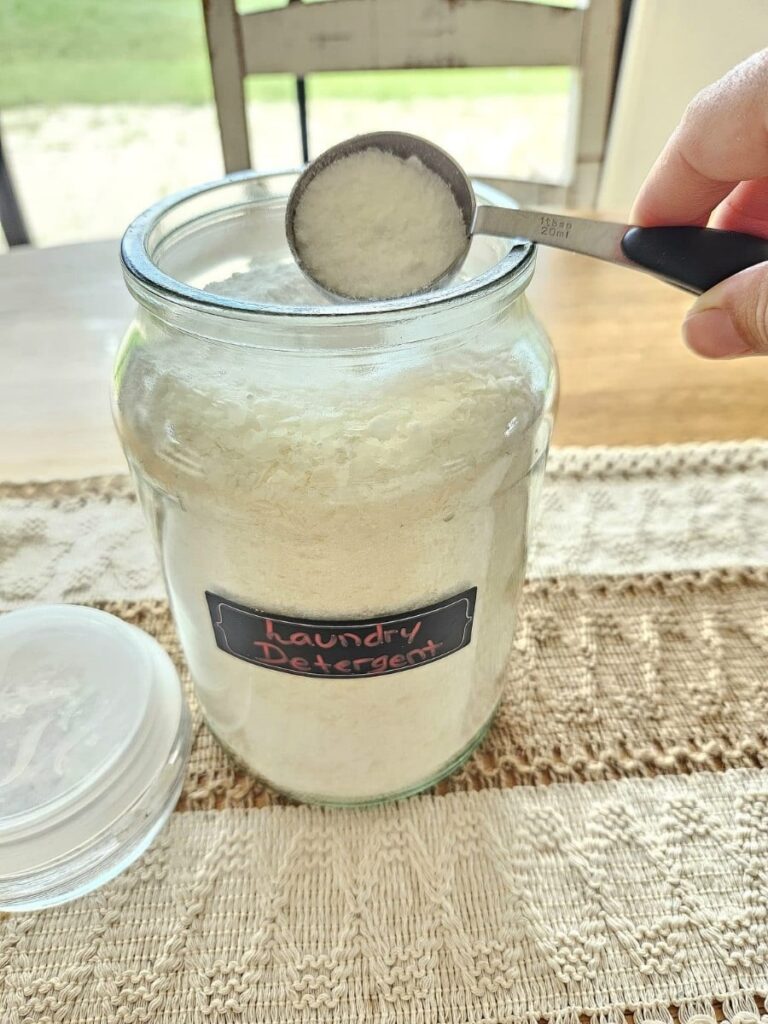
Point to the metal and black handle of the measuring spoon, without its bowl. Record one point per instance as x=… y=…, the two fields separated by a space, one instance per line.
x=693 y=259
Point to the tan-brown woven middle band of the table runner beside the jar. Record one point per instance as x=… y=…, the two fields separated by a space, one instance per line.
x=611 y=678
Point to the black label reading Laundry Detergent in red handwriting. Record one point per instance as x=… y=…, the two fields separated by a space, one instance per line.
x=349 y=649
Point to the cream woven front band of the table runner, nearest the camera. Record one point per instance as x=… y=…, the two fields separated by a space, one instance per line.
x=514 y=906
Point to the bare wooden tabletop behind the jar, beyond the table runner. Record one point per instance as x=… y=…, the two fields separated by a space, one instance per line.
x=626 y=375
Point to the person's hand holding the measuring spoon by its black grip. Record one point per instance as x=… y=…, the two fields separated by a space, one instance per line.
x=714 y=170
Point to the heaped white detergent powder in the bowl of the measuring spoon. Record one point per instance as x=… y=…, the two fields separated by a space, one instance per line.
x=374 y=227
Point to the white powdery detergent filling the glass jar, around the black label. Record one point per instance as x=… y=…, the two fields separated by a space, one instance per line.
x=342 y=489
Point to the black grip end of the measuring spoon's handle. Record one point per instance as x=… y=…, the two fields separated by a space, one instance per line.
x=694 y=259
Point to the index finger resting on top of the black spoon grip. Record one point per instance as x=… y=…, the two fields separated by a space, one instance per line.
x=722 y=141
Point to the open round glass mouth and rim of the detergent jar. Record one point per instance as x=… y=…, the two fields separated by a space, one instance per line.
x=222 y=248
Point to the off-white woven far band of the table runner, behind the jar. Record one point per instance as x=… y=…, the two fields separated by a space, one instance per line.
x=604 y=511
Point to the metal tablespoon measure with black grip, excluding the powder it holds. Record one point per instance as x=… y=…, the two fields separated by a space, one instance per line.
x=693 y=259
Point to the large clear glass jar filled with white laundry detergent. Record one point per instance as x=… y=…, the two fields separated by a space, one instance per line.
x=340 y=496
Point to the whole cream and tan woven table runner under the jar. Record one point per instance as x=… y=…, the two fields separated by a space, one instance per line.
x=637 y=884
